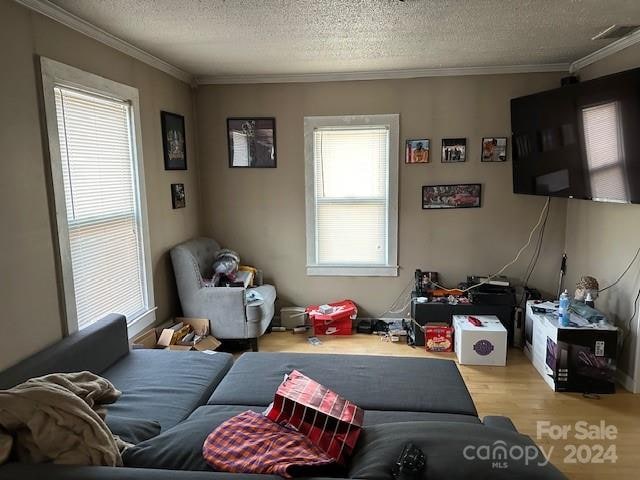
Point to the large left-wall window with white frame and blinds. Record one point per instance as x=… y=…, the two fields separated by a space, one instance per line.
x=97 y=181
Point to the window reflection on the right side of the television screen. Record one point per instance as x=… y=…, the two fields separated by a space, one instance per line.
x=605 y=158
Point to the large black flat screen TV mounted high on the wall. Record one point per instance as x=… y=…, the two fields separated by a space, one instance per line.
x=580 y=140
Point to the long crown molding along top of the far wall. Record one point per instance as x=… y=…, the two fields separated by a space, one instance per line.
x=379 y=75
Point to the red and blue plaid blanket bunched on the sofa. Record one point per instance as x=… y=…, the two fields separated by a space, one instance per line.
x=251 y=443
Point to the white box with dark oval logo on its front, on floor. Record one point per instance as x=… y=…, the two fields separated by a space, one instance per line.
x=485 y=345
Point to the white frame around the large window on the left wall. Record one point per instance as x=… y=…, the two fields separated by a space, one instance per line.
x=56 y=74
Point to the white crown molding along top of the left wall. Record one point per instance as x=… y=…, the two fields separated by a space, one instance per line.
x=60 y=15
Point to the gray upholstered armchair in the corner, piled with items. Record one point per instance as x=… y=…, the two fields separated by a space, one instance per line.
x=229 y=313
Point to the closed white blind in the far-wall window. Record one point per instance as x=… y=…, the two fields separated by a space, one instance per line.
x=351 y=169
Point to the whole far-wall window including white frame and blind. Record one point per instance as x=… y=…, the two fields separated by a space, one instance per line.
x=352 y=195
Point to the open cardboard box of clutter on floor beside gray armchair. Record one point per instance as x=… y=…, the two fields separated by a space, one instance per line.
x=171 y=337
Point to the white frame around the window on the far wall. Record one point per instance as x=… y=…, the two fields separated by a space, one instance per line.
x=392 y=122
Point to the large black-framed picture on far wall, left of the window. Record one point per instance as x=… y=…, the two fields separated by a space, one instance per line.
x=252 y=142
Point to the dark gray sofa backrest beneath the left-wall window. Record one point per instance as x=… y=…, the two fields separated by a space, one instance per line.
x=94 y=348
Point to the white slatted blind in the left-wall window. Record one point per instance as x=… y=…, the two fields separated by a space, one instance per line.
x=99 y=176
